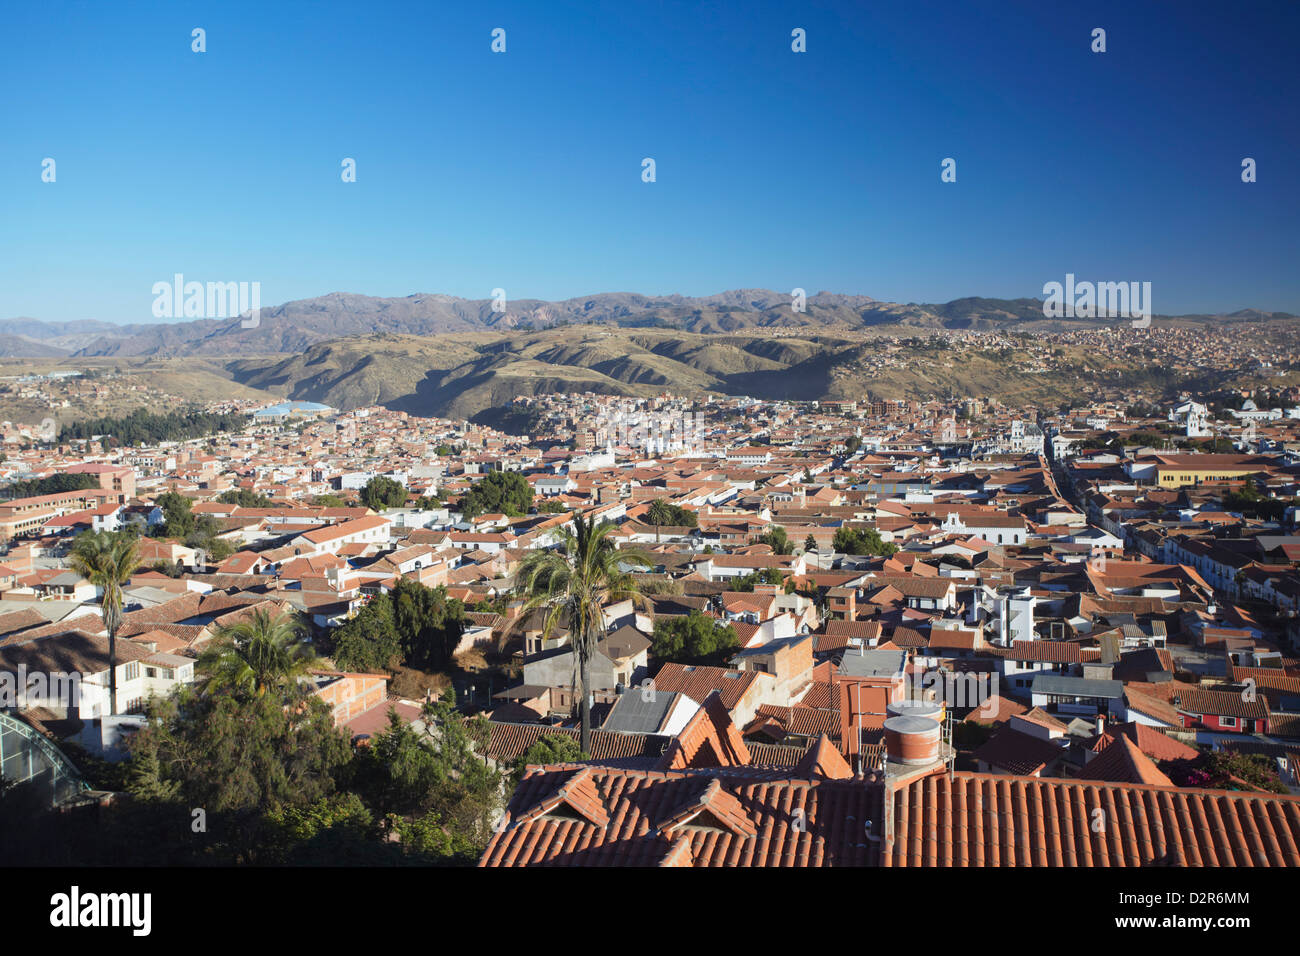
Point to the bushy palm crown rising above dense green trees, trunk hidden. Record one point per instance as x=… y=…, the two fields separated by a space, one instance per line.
x=257 y=654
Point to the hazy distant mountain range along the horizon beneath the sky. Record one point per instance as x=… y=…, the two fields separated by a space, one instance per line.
x=298 y=326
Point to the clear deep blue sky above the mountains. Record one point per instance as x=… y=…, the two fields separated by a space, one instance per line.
x=523 y=171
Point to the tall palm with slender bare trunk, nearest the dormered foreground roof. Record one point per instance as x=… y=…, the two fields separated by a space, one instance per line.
x=575 y=583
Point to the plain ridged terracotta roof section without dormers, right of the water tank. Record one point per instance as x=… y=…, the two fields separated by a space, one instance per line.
x=983 y=820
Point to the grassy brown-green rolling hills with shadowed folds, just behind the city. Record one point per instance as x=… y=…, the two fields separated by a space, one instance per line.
x=471 y=375
